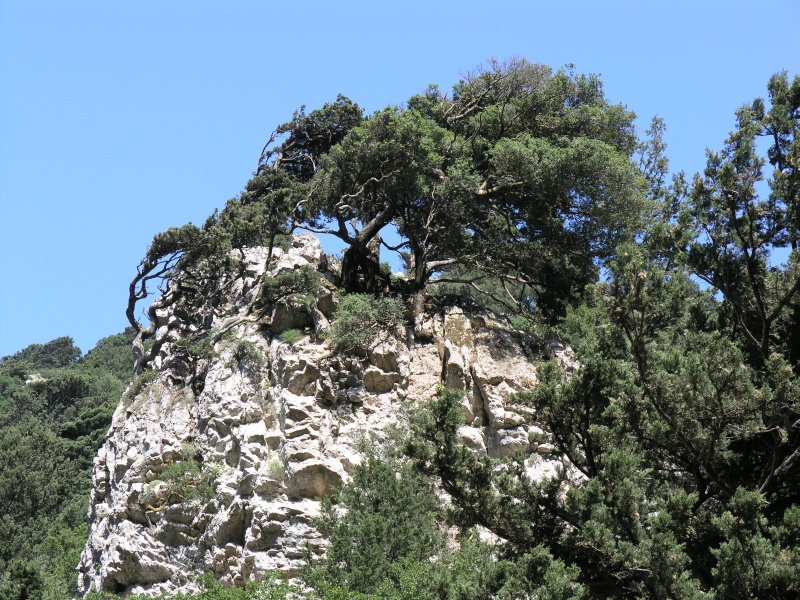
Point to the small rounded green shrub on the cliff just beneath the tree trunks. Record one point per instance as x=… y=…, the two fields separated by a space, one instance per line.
x=360 y=318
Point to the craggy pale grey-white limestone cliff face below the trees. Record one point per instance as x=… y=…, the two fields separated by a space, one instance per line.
x=260 y=429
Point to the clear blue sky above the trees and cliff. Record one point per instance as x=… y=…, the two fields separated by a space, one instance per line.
x=119 y=119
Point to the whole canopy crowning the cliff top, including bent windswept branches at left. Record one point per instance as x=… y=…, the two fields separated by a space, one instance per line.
x=521 y=176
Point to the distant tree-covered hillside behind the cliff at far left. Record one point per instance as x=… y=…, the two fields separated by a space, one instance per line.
x=55 y=408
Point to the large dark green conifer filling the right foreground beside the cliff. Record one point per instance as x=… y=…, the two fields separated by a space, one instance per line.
x=680 y=427
